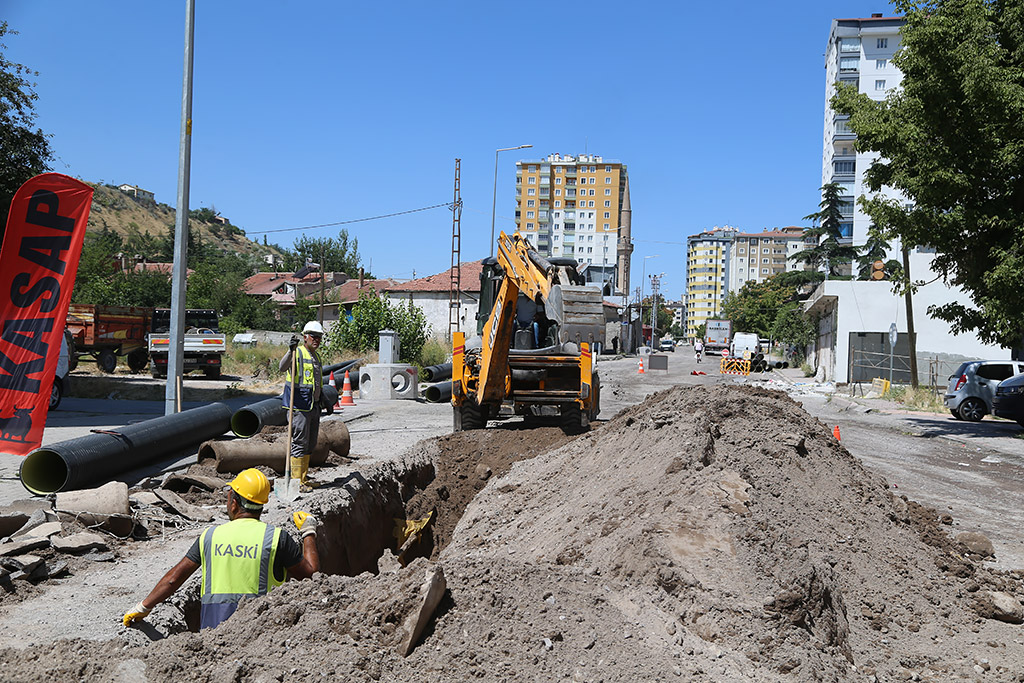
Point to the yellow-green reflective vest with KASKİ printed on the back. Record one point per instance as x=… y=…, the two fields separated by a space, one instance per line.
x=238 y=561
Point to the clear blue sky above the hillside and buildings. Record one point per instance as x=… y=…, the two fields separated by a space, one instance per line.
x=322 y=112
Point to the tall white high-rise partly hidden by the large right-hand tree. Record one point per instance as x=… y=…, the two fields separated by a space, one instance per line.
x=860 y=53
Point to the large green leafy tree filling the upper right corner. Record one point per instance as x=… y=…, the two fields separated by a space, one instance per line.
x=952 y=140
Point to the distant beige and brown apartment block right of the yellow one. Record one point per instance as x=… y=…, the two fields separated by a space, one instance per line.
x=758 y=257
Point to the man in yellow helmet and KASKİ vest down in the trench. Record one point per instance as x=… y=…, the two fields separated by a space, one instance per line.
x=239 y=559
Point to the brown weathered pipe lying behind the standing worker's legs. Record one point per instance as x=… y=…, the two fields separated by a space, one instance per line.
x=235 y=456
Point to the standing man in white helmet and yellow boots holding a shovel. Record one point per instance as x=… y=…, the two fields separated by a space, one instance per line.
x=307 y=408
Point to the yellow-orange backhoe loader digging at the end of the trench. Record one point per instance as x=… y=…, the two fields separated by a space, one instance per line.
x=532 y=355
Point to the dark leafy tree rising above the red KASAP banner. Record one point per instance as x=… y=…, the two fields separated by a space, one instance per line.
x=25 y=150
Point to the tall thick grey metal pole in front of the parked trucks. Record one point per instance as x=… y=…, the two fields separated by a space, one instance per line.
x=176 y=357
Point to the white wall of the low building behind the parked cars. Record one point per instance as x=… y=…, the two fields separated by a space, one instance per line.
x=871 y=307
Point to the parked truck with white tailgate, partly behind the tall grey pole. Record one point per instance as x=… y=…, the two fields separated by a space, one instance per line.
x=204 y=346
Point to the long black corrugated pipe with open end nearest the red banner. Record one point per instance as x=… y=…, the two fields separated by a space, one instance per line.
x=86 y=461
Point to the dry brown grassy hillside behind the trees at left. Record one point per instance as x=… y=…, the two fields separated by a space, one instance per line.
x=129 y=217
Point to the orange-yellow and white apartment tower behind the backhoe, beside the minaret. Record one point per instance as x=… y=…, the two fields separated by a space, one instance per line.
x=578 y=207
